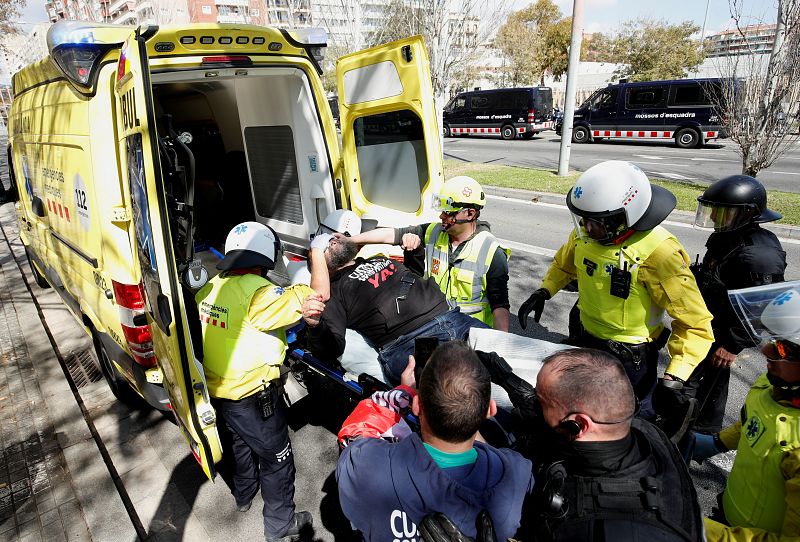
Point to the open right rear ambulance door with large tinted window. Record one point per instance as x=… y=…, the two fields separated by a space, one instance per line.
x=390 y=135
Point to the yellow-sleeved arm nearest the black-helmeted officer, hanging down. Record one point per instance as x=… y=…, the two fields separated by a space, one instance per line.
x=672 y=287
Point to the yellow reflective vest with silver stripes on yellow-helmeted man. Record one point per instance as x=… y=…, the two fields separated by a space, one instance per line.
x=464 y=280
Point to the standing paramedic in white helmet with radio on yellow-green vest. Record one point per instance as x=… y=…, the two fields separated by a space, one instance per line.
x=629 y=271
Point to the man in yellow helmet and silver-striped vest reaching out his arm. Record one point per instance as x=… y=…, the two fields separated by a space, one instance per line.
x=461 y=253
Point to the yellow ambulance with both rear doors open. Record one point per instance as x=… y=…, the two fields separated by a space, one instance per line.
x=136 y=151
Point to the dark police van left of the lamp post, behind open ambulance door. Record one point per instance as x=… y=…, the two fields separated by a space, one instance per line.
x=507 y=112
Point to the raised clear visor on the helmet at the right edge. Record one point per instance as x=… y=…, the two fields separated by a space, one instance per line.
x=770 y=313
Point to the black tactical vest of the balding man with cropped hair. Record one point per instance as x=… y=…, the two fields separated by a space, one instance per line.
x=654 y=499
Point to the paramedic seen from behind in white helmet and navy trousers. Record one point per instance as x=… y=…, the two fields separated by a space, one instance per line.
x=243 y=317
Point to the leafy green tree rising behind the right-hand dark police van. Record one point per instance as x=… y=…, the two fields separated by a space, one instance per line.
x=653 y=50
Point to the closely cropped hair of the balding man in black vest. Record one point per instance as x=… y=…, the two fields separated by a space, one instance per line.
x=593 y=382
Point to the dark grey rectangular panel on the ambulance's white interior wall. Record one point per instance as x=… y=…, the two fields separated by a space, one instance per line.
x=273 y=171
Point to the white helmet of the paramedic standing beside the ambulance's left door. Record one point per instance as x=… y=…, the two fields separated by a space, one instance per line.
x=250 y=244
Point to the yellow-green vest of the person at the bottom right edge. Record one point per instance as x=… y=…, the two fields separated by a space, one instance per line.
x=756 y=492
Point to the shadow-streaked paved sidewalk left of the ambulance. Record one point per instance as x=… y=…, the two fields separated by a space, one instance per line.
x=37 y=498
